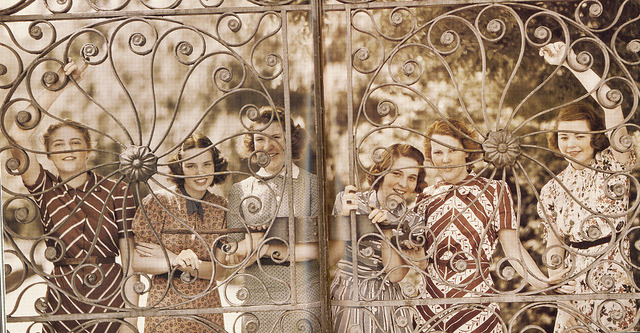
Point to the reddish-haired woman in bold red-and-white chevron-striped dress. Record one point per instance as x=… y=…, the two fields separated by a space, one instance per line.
x=466 y=216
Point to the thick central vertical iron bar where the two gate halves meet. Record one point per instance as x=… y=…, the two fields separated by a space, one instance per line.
x=318 y=98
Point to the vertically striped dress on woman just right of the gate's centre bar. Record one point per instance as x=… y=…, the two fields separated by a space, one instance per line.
x=372 y=285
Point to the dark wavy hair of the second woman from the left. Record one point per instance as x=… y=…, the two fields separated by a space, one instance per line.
x=198 y=141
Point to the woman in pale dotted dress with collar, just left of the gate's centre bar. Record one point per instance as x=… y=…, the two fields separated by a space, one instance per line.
x=254 y=204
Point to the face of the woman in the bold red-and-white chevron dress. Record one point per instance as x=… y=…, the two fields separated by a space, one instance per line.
x=450 y=161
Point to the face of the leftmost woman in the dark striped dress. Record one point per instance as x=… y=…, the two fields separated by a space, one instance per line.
x=68 y=163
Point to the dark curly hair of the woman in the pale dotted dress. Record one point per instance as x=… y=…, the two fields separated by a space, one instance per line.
x=268 y=114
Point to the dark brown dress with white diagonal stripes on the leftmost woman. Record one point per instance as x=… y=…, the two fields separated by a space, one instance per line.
x=83 y=289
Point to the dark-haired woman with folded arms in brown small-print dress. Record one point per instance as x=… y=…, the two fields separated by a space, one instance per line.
x=190 y=207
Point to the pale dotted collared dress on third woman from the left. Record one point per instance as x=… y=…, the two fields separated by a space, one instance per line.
x=265 y=281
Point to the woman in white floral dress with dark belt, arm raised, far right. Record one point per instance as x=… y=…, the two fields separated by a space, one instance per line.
x=581 y=214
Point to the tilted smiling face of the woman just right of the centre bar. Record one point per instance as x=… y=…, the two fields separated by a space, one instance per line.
x=401 y=180
